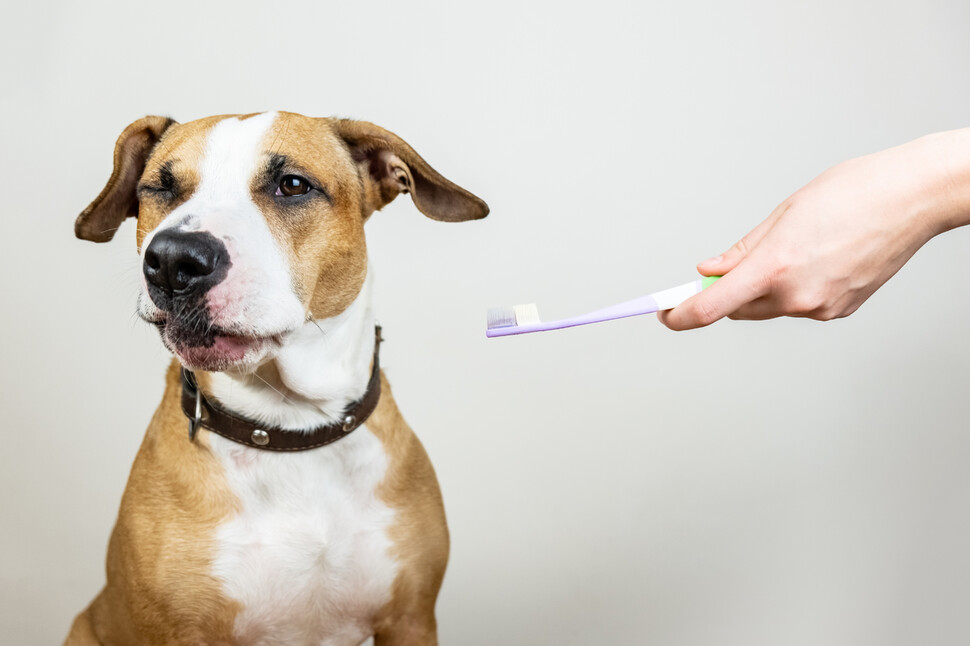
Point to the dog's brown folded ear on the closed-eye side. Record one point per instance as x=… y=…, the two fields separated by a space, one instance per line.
x=118 y=200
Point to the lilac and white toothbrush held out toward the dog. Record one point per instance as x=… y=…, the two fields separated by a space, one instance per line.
x=522 y=319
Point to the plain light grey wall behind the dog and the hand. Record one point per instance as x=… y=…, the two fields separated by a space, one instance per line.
x=787 y=482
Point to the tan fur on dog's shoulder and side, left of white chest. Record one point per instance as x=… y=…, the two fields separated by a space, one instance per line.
x=159 y=588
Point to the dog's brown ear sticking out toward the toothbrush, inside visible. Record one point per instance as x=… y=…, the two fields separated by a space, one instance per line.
x=390 y=166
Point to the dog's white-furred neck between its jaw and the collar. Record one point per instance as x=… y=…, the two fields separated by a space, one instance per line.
x=320 y=369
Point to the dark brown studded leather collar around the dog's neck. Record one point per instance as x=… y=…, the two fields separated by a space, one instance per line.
x=209 y=414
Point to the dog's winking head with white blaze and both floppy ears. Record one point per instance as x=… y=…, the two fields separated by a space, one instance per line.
x=250 y=226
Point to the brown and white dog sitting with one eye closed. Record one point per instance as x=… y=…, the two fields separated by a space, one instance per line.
x=251 y=234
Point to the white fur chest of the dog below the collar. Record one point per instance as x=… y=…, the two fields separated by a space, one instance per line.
x=308 y=556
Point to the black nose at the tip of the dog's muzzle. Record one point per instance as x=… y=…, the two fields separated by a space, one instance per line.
x=179 y=263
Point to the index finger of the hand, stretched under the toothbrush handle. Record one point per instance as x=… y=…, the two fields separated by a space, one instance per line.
x=721 y=299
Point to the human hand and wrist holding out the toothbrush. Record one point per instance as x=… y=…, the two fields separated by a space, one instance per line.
x=827 y=248
